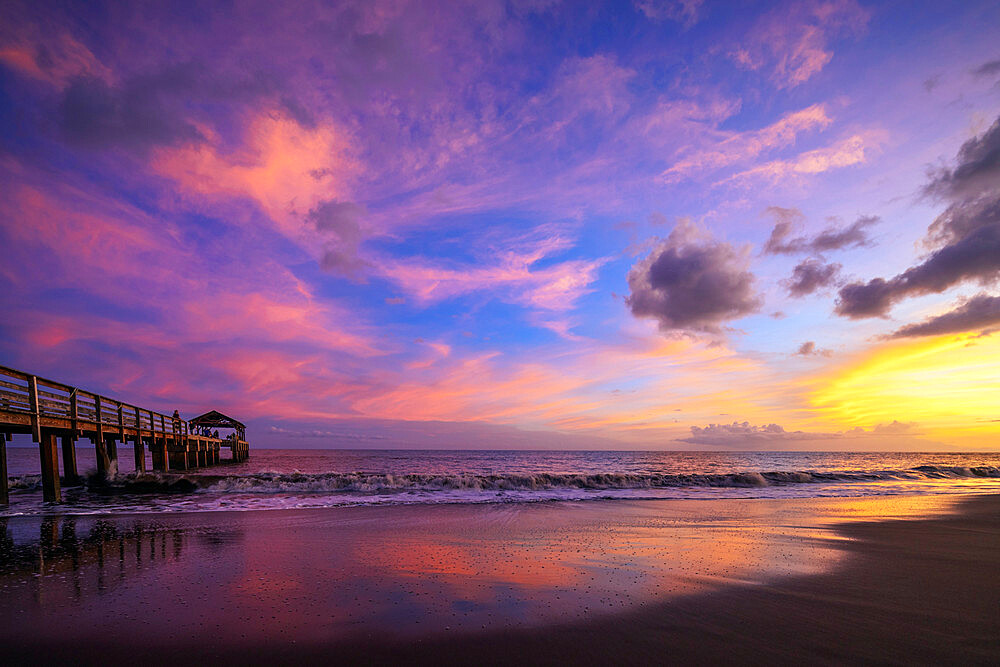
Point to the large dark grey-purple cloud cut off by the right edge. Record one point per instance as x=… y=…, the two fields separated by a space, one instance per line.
x=965 y=238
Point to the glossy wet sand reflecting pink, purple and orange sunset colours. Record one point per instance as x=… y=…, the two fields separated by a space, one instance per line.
x=405 y=573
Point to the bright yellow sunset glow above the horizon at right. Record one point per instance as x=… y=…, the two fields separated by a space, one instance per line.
x=948 y=385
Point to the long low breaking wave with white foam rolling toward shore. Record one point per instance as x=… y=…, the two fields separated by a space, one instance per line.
x=363 y=483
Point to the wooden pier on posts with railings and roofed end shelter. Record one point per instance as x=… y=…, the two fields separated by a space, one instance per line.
x=57 y=414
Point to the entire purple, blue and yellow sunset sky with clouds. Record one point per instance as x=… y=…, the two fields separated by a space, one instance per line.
x=675 y=224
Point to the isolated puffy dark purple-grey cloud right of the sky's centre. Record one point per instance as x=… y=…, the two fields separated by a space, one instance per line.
x=692 y=282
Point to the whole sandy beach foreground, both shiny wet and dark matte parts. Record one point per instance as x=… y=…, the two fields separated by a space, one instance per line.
x=883 y=580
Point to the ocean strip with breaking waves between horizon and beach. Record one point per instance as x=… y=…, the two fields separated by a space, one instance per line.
x=287 y=479
